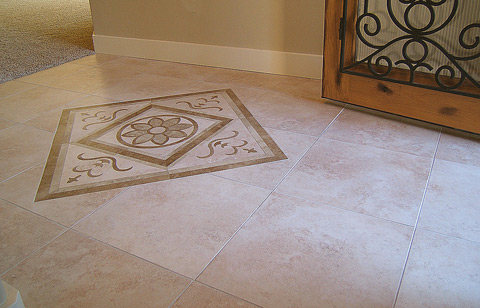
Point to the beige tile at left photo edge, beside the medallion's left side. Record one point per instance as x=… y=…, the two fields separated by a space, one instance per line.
x=22 y=147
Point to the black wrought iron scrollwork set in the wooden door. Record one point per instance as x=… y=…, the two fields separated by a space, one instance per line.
x=419 y=36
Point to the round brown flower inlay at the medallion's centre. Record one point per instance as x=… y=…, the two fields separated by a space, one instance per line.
x=157 y=131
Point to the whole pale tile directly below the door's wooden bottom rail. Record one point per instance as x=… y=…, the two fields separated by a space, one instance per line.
x=361 y=126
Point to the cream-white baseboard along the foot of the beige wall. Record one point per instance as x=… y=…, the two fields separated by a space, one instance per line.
x=265 y=61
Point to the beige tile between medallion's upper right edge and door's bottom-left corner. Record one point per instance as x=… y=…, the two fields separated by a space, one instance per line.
x=294 y=113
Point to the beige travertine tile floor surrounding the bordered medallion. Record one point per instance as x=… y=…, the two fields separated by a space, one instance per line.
x=369 y=210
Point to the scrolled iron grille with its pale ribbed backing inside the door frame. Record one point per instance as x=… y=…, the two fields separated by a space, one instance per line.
x=401 y=41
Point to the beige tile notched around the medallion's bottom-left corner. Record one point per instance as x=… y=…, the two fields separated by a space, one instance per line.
x=22 y=188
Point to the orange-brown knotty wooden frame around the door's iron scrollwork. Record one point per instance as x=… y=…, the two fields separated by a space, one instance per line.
x=437 y=107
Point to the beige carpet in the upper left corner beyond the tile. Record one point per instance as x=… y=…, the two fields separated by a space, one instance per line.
x=38 y=34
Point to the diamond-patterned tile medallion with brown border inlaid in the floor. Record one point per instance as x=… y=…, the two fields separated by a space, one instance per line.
x=134 y=142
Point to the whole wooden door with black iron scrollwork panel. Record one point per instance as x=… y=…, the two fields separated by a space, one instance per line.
x=415 y=58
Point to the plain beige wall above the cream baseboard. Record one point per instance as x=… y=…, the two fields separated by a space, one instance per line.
x=294 y=26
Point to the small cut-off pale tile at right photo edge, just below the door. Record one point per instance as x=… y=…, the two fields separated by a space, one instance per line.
x=459 y=147
